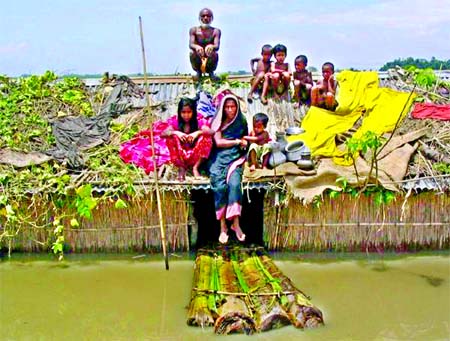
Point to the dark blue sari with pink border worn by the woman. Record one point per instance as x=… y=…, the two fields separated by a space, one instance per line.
x=226 y=165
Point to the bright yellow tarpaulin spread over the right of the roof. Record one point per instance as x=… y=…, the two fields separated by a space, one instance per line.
x=359 y=95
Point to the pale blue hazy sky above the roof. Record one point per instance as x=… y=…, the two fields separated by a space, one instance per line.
x=96 y=36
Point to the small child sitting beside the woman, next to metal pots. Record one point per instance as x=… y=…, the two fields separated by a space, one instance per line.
x=258 y=138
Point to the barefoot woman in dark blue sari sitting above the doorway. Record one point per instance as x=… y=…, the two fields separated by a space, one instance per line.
x=227 y=160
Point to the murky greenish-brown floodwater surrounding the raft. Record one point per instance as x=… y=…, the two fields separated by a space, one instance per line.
x=365 y=297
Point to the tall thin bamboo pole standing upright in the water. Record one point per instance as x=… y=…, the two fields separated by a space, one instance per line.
x=155 y=173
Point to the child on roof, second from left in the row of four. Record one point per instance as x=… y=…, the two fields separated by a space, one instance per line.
x=280 y=74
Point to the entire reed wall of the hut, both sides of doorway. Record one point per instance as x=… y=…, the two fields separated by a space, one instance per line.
x=421 y=221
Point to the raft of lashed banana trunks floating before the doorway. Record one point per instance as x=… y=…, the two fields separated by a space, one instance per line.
x=241 y=290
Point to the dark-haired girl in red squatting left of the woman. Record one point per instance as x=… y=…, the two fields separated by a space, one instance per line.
x=188 y=138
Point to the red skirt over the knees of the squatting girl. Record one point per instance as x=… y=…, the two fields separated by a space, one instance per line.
x=186 y=155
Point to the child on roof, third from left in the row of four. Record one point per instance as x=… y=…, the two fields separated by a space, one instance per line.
x=303 y=82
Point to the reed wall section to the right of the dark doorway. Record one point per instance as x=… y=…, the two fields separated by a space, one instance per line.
x=420 y=221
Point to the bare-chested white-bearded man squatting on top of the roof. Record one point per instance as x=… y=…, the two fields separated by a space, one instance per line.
x=204 y=42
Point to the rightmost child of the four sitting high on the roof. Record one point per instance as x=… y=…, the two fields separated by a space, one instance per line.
x=324 y=92
